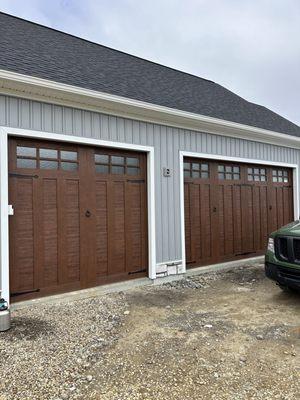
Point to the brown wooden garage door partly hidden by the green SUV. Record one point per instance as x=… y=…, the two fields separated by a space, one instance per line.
x=230 y=209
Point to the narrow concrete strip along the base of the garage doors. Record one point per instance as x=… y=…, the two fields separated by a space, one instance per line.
x=127 y=285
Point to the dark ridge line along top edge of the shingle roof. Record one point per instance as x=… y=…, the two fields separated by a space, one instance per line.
x=106 y=47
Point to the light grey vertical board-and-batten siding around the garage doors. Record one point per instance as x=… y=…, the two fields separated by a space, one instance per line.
x=167 y=142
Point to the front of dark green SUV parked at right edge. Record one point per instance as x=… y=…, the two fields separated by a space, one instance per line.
x=282 y=261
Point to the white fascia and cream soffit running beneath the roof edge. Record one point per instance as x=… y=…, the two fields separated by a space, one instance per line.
x=25 y=86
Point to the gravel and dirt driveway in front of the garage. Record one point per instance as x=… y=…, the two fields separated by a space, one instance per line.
x=230 y=335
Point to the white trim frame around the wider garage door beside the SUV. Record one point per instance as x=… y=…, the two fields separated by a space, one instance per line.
x=182 y=154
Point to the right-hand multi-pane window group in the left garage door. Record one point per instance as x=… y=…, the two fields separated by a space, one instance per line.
x=112 y=164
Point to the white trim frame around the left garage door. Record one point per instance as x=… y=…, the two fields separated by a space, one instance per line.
x=6 y=132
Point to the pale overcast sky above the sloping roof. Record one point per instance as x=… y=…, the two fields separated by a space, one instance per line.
x=252 y=47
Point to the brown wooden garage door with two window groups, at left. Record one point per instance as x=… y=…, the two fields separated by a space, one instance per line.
x=80 y=217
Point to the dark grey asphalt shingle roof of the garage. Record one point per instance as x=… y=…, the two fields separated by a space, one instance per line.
x=38 y=51
